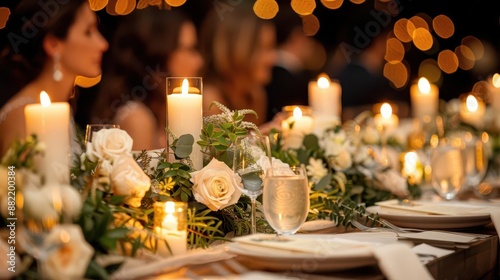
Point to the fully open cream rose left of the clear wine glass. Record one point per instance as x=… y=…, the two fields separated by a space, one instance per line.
x=216 y=185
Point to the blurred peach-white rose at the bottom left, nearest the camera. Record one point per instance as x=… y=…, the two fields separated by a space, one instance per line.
x=72 y=255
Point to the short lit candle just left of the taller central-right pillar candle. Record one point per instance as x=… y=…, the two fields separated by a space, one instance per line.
x=296 y=126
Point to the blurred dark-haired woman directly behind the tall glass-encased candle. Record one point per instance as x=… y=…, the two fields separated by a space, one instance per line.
x=148 y=46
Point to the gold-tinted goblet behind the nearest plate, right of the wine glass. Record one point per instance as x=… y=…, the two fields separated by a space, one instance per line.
x=286 y=198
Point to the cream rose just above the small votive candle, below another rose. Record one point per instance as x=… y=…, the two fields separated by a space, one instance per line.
x=129 y=180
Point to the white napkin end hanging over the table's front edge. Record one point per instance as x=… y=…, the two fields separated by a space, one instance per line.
x=397 y=261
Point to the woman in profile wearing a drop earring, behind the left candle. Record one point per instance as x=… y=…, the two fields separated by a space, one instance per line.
x=67 y=45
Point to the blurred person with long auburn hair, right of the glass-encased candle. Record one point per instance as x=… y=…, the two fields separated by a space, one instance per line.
x=239 y=50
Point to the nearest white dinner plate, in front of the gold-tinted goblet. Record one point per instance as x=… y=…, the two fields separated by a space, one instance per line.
x=271 y=259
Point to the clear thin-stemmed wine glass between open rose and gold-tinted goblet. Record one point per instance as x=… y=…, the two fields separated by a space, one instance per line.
x=252 y=155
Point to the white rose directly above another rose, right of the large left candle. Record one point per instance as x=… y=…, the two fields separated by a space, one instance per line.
x=109 y=144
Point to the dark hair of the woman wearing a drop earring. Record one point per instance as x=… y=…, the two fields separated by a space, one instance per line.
x=21 y=53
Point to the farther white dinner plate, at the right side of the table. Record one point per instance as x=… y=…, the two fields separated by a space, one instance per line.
x=428 y=221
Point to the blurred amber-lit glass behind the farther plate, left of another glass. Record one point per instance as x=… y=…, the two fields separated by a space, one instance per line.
x=448 y=167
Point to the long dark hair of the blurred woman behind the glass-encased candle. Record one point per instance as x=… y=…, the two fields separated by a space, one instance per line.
x=136 y=66
